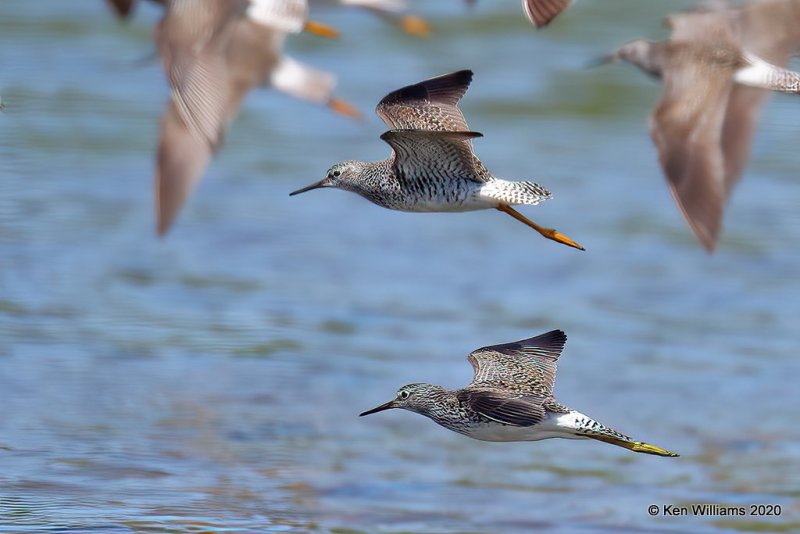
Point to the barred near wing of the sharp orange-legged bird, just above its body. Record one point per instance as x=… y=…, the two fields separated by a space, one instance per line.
x=422 y=156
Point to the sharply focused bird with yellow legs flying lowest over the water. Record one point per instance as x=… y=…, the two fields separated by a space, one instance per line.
x=511 y=398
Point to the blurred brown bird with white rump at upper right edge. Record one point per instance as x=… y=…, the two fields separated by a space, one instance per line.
x=715 y=68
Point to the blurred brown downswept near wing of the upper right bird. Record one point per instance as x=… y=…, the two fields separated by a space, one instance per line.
x=687 y=130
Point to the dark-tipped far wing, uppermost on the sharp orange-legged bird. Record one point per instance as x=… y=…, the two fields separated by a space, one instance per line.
x=428 y=105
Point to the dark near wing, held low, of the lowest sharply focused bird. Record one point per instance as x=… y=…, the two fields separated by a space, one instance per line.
x=503 y=407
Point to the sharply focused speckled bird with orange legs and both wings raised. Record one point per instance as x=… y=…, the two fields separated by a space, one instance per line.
x=433 y=167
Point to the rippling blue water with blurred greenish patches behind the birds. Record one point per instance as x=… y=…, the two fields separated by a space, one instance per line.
x=211 y=381
